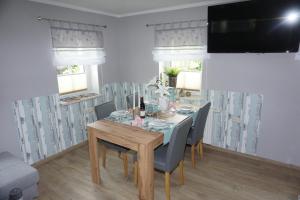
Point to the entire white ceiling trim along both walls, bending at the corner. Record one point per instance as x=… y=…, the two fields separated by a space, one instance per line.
x=170 y=8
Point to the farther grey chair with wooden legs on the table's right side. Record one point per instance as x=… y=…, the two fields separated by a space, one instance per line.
x=195 y=137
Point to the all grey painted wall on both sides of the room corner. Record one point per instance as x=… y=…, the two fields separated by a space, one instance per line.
x=26 y=69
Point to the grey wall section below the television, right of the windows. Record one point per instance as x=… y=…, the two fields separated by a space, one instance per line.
x=276 y=76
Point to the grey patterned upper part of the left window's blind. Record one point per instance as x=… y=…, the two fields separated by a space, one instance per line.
x=75 y=35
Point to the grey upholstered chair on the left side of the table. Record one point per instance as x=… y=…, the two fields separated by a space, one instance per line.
x=103 y=111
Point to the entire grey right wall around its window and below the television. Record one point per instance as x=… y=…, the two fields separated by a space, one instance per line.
x=276 y=76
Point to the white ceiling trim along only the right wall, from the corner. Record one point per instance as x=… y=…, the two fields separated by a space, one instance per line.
x=203 y=3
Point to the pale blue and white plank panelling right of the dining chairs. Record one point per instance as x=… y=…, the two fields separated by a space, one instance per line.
x=234 y=120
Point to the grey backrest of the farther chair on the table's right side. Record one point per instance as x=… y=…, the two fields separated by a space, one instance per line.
x=199 y=126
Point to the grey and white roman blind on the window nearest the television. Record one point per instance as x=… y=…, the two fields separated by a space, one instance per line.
x=180 y=41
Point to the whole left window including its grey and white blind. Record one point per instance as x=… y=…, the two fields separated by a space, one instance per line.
x=78 y=52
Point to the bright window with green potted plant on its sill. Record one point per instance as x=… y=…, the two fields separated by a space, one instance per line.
x=190 y=76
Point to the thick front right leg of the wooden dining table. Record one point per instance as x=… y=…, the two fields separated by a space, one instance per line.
x=146 y=172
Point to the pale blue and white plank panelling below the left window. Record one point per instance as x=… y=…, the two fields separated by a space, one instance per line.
x=45 y=127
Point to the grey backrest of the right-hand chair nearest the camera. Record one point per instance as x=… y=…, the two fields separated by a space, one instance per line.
x=177 y=144
